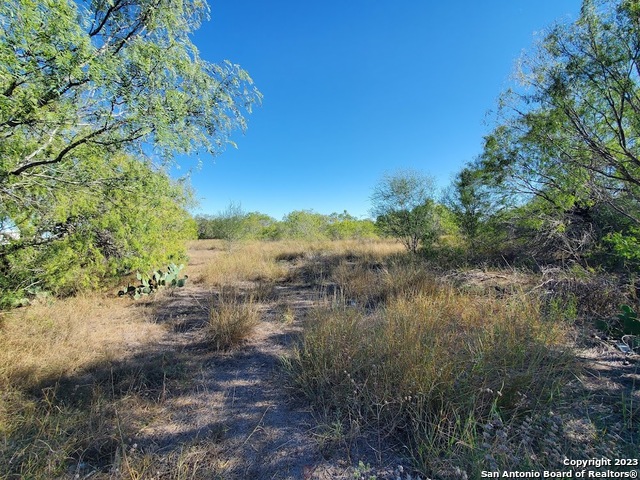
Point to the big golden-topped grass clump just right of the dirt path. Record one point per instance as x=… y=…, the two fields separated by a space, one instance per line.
x=431 y=367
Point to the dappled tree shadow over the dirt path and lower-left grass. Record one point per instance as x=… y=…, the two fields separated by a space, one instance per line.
x=177 y=397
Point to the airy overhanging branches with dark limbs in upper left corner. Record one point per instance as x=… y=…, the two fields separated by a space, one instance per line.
x=103 y=76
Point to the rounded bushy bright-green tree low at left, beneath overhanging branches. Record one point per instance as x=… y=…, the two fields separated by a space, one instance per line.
x=84 y=238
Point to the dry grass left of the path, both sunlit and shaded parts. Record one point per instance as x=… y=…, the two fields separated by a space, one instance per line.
x=72 y=395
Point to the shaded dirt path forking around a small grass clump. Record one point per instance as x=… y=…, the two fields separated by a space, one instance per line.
x=236 y=401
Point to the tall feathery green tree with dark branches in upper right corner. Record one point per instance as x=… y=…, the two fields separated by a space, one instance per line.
x=569 y=136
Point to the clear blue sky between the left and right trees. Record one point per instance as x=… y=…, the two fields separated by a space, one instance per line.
x=356 y=88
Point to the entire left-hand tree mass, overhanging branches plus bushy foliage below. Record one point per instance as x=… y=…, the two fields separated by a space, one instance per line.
x=86 y=90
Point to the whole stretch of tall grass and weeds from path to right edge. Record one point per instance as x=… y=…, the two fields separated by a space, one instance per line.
x=465 y=379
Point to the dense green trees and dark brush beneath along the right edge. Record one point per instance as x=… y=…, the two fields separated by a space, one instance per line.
x=559 y=173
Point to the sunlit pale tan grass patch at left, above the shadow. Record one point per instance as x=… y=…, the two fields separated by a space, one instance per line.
x=62 y=337
